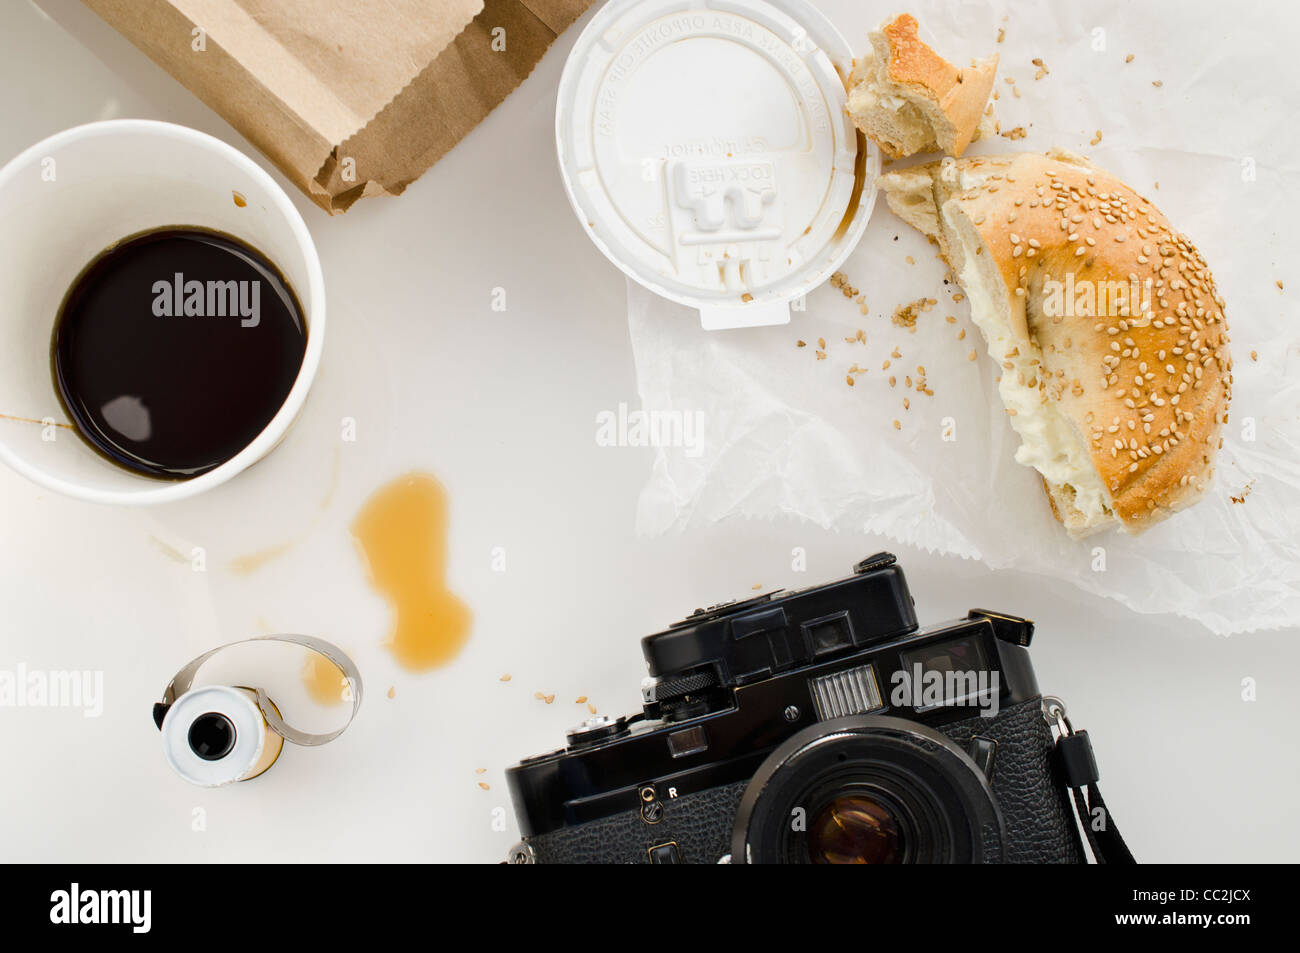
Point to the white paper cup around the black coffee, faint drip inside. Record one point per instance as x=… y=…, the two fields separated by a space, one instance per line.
x=66 y=201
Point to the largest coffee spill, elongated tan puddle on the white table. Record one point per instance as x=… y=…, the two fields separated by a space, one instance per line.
x=402 y=536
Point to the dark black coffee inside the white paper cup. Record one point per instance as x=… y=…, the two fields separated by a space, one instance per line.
x=175 y=349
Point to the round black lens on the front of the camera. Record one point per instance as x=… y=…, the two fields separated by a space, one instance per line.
x=869 y=790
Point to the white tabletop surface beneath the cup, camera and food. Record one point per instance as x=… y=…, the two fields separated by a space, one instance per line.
x=502 y=409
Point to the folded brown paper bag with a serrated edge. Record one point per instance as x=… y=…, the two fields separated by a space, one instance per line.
x=348 y=98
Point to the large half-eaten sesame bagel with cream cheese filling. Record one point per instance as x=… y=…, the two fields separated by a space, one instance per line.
x=1104 y=320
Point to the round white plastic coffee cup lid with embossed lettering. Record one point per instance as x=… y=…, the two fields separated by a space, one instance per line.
x=708 y=151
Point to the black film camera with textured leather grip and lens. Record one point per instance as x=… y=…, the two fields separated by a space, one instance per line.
x=816 y=726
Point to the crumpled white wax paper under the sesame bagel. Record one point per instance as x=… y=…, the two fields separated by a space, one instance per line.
x=786 y=435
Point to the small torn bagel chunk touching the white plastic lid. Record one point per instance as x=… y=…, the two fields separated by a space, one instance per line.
x=909 y=99
